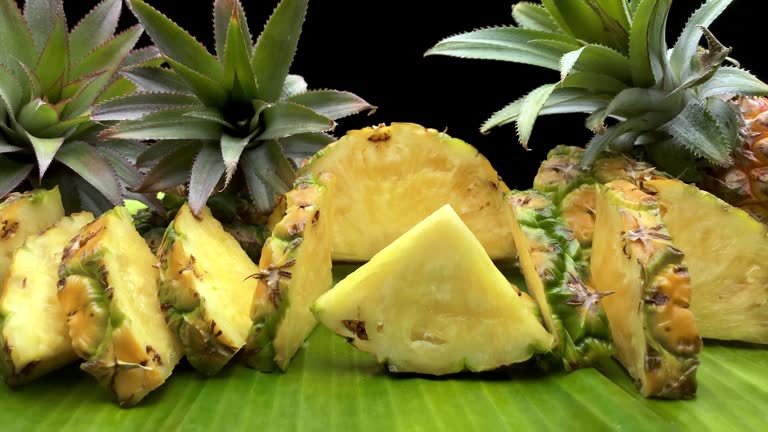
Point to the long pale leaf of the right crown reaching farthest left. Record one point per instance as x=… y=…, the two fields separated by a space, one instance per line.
x=506 y=44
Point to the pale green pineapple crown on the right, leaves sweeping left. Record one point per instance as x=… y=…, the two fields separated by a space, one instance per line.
x=614 y=62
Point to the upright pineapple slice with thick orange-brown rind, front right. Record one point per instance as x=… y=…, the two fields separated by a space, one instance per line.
x=653 y=329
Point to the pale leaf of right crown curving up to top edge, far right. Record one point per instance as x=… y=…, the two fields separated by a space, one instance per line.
x=688 y=43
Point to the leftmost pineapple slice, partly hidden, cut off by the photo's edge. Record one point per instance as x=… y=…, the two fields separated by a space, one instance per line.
x=22 y=215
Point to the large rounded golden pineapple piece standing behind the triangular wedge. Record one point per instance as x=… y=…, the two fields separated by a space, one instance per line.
x=389 y=178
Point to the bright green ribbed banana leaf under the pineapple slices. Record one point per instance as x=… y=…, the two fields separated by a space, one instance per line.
x=331 y=386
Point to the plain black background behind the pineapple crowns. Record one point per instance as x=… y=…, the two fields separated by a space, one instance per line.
x=375 y=49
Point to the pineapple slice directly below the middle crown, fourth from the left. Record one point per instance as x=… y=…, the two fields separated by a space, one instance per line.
x=205 y=289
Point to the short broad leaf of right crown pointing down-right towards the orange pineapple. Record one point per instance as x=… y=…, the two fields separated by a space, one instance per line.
x=698 y=131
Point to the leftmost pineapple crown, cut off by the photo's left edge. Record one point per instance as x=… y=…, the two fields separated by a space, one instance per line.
x=50 y=77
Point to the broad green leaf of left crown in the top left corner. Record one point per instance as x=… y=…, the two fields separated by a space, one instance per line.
x=15 y=36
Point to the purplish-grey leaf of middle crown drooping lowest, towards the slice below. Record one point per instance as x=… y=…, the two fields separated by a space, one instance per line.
x=206 y=173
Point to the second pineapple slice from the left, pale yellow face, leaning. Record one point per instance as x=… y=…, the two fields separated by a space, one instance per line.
x=34 y=338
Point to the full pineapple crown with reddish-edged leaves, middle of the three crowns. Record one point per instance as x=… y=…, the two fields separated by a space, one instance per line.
x=241 y=108
